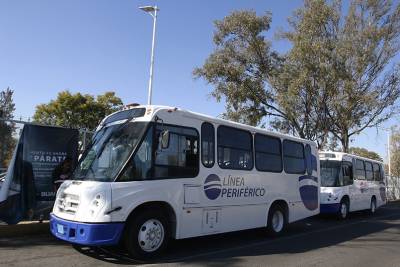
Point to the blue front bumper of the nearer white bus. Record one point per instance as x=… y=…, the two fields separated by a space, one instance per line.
x=91 y=234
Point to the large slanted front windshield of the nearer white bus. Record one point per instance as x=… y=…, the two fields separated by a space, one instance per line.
x=109 y=151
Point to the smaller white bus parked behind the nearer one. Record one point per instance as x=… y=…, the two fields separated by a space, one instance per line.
x=350 y=183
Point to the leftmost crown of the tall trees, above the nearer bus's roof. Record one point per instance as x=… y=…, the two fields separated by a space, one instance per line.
x=241 y=65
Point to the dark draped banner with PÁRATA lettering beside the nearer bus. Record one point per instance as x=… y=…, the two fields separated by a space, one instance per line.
x=44 y=157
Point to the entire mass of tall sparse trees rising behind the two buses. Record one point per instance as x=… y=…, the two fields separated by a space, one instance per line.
x=334 y=82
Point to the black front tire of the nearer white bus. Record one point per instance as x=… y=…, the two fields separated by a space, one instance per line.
x=137 y=224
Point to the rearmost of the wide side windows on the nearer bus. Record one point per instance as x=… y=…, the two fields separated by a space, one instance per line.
x=293 y=157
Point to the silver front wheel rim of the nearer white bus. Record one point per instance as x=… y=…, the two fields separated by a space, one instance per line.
x=151 y=235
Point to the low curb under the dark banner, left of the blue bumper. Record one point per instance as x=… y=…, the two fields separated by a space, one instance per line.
x=24 y=229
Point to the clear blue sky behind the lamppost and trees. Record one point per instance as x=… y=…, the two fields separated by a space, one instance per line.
x=93 y=46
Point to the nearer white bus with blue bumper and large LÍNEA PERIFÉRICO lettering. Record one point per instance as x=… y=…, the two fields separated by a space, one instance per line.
x=153 y=173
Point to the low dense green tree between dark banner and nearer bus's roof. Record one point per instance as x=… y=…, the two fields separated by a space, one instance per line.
x=77 y=110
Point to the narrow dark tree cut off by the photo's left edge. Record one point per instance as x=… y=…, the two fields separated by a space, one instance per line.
x=7 y=129
